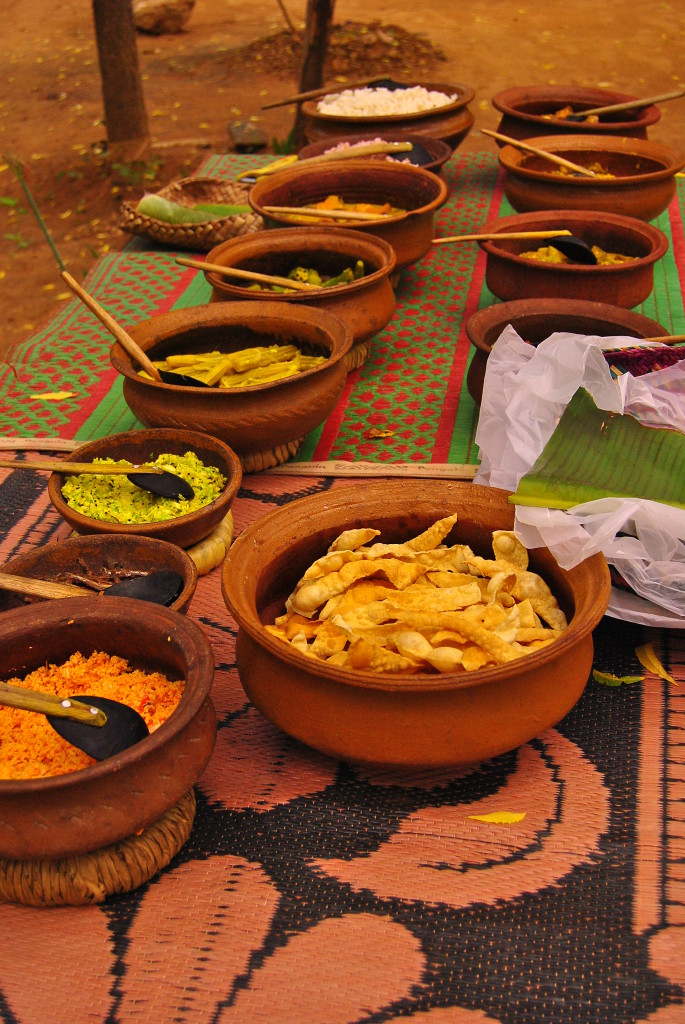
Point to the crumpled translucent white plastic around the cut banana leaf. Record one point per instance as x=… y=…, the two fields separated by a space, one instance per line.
x=526 y=392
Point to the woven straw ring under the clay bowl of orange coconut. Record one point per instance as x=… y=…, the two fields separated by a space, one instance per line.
x=91 y=878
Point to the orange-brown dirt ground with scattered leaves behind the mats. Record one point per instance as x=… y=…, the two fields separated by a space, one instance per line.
x=233 y=59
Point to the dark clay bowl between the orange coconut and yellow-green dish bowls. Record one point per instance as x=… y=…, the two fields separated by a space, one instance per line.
x=103 y=559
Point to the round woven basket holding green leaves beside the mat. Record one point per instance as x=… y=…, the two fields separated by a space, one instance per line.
x=201 y=237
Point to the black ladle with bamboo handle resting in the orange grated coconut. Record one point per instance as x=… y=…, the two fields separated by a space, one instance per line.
x=97 y=726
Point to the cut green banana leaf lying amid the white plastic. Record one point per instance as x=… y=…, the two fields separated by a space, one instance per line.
x=594 y=454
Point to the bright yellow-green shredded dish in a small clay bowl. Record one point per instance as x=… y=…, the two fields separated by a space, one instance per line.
x=115 y=499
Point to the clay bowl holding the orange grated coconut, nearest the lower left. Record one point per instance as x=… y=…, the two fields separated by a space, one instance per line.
x=87 y=810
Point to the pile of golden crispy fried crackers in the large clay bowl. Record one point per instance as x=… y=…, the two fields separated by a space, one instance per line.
x=420 y=607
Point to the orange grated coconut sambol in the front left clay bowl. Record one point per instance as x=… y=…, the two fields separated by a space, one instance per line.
x=30 y=748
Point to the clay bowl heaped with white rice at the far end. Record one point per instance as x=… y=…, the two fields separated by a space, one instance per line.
x=450 y=124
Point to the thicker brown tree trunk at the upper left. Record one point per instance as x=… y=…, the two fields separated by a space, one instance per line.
x=125 y=114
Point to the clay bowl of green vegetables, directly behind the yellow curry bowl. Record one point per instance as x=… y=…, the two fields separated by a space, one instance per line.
x=365 y=306
